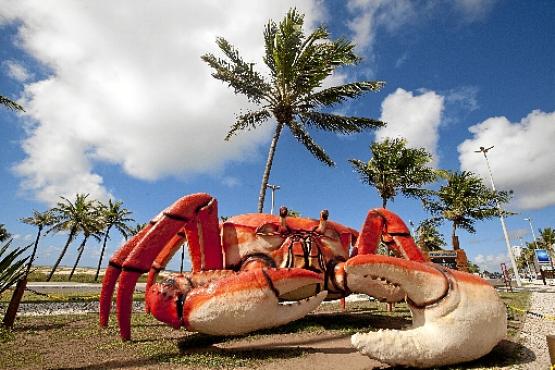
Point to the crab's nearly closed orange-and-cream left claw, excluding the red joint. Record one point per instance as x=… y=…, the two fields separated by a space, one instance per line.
x=249 y=301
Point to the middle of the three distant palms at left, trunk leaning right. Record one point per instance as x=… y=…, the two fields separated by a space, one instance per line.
x=70 y=216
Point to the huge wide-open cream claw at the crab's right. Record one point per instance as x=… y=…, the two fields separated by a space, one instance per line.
x=457 y=317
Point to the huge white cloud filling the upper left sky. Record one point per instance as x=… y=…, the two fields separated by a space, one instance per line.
x=128 y=88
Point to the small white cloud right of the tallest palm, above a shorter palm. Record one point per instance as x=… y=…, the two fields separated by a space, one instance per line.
x=414 y=117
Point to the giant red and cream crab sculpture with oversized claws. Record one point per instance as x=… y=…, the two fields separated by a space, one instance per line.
x=244 y=268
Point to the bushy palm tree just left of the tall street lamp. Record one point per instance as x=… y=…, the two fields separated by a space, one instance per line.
x=463 y=200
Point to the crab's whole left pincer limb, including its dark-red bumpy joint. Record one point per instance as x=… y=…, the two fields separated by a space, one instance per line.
x=231 y=303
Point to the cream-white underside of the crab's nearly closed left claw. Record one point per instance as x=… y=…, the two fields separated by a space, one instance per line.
x=247 y=311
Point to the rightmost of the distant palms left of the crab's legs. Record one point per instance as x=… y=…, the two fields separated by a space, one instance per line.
x=113 y=215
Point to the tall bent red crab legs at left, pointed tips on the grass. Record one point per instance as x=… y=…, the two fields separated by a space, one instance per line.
x=195 y=212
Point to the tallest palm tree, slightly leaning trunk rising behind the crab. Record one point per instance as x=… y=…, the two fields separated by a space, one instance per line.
x=293 y=94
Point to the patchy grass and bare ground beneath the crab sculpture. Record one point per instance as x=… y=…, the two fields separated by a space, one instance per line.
x=76 y=341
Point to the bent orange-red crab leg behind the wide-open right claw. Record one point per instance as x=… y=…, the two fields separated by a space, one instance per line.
x=385 y=226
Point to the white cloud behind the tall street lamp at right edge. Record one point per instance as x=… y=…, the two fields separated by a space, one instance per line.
x=522 y=157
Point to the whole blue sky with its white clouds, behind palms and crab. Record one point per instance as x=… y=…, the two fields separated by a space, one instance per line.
x=119 y=104
